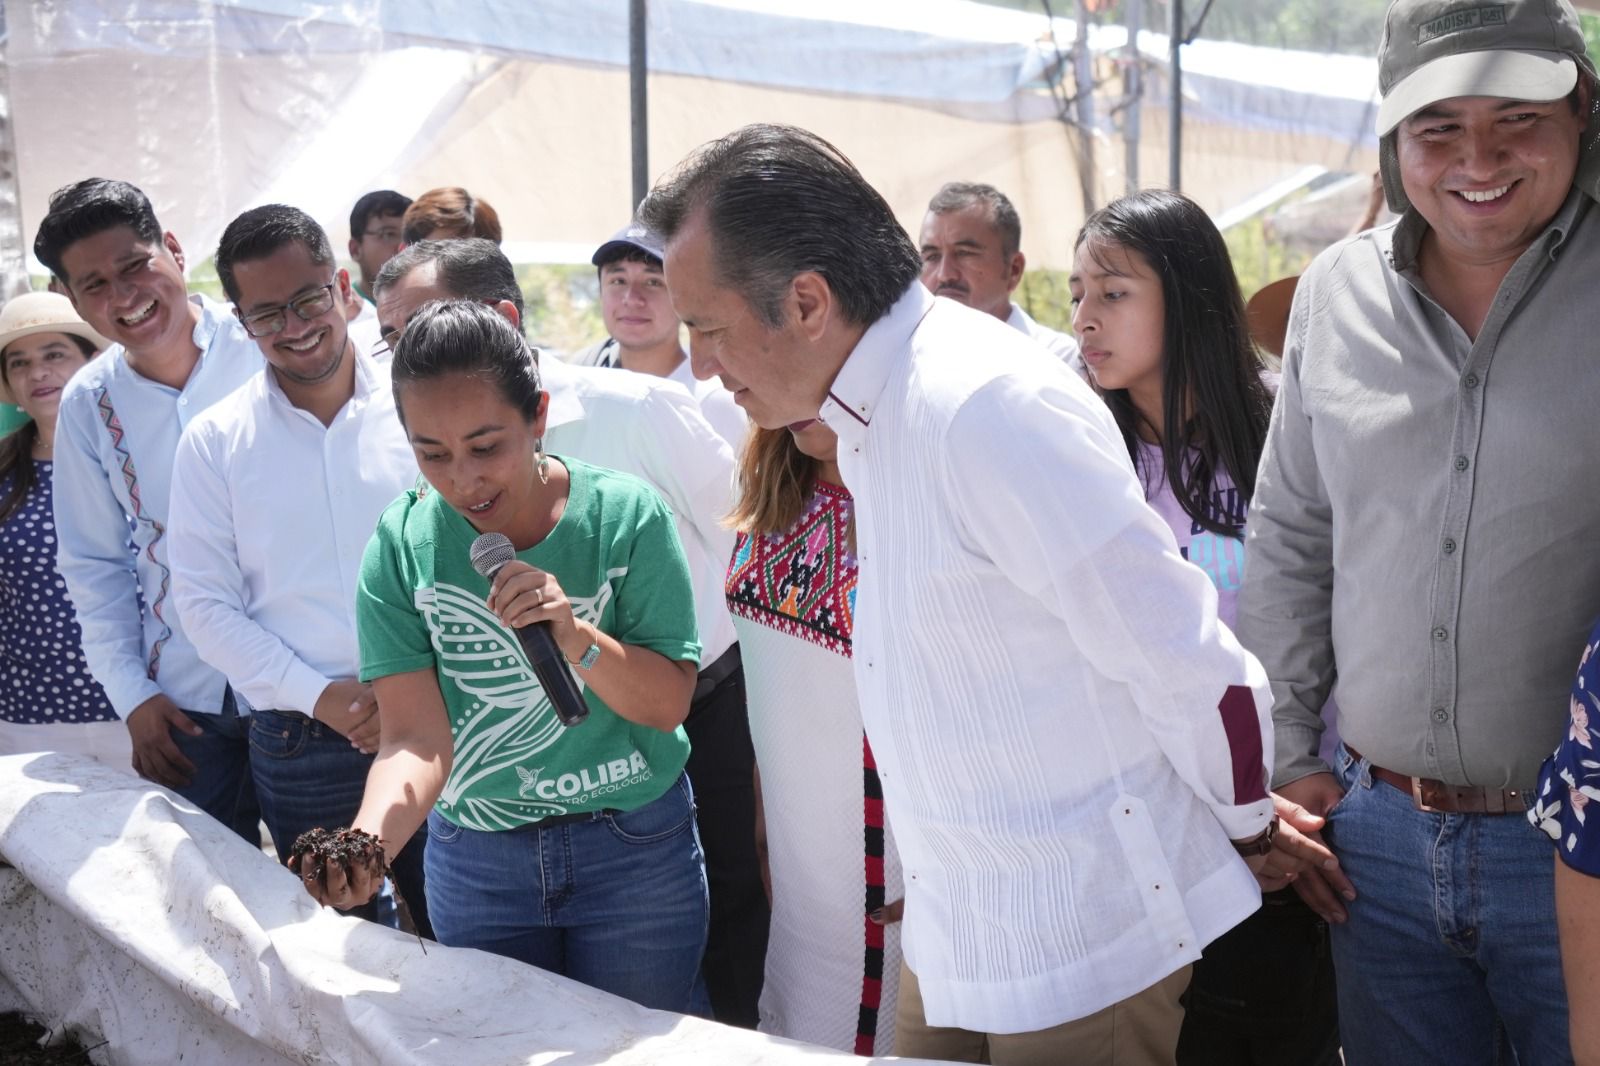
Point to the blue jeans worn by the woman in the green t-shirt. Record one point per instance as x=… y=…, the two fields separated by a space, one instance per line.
x=617 y=902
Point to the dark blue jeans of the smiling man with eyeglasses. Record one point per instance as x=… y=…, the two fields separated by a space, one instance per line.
x=306 y=777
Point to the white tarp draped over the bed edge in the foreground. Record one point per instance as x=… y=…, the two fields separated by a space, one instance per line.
x=132 y=918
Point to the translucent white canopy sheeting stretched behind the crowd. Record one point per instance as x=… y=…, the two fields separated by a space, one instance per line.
x=214 y=108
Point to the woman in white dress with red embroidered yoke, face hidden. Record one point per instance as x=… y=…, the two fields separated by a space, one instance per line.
x=833 y=956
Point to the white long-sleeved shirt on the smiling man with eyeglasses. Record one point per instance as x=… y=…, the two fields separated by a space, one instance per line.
x=271 y=516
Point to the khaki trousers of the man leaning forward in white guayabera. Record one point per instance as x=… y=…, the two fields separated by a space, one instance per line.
x=1138 y=1032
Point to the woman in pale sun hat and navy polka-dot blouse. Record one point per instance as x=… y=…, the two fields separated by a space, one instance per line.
x=49 y=700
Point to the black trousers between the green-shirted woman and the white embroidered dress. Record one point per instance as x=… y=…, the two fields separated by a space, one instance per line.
x=722 y=771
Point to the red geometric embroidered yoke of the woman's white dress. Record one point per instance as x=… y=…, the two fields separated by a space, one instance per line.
x=801 y=582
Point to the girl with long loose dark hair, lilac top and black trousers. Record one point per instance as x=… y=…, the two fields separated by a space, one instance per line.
x=1162 y=324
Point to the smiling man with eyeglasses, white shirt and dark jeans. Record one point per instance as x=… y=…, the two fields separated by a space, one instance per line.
x=276 y=492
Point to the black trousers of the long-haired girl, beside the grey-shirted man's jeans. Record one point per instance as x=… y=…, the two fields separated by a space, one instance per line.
x=1263 y=993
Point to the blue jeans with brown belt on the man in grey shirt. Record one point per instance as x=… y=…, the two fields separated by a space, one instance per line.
x=1450 y=950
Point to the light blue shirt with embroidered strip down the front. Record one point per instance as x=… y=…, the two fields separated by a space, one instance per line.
x=116 y=438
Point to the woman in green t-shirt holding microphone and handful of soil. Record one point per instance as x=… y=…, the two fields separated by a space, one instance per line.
x=567 y=848
